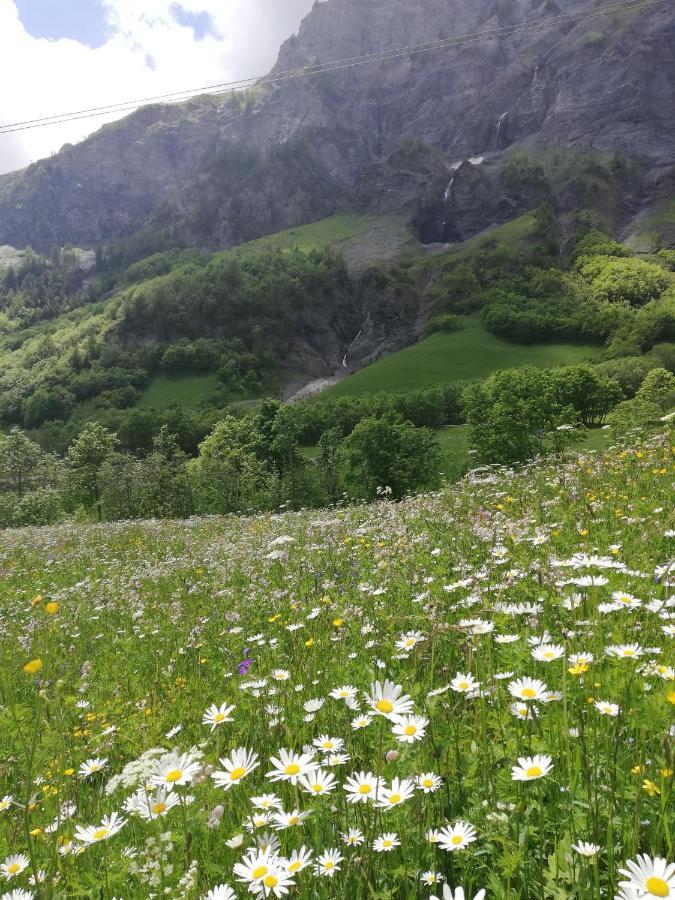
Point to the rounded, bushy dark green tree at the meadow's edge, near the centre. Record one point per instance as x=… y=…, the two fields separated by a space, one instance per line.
x=390 y=453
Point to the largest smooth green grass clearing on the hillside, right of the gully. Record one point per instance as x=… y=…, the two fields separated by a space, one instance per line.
x=443 y=358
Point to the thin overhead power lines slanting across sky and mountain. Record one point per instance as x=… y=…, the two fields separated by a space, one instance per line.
x=331 y=66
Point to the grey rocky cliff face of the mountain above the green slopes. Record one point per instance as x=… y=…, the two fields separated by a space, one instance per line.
x=216 y=171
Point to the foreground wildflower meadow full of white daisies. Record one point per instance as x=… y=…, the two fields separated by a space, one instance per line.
x=471 y=689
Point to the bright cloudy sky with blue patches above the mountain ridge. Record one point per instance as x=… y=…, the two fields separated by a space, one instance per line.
x=63 y=55
